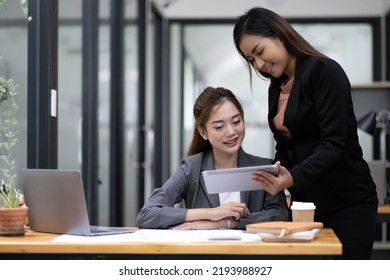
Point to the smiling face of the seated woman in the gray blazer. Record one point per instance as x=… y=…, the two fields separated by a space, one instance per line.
x=225 y=129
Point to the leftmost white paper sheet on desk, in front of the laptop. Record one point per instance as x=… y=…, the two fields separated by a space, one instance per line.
x=112 y=238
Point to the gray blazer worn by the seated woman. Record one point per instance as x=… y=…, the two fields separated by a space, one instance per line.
x=186 y=185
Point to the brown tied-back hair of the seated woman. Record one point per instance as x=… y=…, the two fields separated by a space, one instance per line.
x=204 y=104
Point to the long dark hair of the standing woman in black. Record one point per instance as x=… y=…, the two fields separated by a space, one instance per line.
x=266 y=23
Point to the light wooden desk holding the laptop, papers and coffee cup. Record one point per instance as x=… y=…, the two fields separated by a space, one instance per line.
x=325 y=245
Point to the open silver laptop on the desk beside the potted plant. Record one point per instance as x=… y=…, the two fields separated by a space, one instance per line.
x=56 y=203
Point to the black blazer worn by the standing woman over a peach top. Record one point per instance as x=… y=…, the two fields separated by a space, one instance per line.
x=323 y=154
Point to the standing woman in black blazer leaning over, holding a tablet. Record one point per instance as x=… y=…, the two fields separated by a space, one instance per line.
x=312 y=119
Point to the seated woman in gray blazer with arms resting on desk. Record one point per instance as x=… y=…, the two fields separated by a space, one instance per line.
x=218 y=133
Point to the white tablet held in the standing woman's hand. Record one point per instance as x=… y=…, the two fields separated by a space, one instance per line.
x=234 y=179
